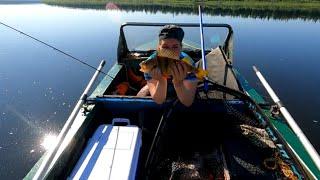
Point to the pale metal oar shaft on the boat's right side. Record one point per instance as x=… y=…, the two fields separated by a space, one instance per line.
x=292 y=123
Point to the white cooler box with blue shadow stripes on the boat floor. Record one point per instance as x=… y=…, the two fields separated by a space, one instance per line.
x=111 y=153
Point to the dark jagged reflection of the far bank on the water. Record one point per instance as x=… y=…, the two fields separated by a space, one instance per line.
x=267 y=13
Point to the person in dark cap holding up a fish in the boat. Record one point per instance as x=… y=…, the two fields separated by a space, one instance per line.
x=178 y=81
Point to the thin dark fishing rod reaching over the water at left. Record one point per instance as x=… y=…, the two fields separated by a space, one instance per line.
x=54 y=48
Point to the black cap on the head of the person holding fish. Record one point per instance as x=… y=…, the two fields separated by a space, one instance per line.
x=171 y=31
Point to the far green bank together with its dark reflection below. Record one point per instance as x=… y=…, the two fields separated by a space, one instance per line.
x=286 y=9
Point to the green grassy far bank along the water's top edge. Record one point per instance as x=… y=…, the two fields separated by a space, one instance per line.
x=251 y=4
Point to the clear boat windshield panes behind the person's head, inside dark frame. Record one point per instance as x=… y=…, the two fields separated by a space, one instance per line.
x=145 y=38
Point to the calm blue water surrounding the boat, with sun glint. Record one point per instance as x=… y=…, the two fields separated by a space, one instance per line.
x=39 y=86
